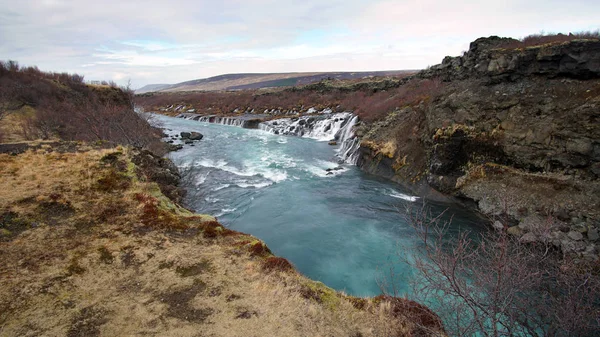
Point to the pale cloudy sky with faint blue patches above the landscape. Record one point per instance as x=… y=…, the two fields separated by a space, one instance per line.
x=146 y=42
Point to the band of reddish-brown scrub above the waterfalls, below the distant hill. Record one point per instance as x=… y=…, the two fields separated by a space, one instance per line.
x=370 y=101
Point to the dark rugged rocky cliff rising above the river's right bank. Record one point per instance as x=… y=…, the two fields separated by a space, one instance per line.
x=515 y=131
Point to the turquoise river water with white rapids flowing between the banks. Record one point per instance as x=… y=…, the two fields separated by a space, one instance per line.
x=344 y=229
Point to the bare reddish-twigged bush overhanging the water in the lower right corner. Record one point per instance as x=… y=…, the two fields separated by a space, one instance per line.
x=494 y=285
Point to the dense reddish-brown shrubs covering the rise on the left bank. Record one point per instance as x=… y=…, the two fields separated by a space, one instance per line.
x=61 y=106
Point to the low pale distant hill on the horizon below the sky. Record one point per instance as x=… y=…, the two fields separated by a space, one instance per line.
x=257 y=81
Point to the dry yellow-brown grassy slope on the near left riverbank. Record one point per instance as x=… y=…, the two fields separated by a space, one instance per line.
x=91 y=248
